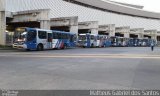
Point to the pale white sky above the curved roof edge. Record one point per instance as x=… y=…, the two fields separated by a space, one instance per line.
x=150 y=5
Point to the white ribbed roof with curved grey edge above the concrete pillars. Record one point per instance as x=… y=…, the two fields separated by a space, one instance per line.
x=105 y=12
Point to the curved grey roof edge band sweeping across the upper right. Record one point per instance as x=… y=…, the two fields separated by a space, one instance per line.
x=117 y=7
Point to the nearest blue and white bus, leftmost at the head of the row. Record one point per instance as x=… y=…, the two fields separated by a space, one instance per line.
x=40 y=39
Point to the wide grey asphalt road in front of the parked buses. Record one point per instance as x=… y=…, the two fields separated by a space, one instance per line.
x=95 y=68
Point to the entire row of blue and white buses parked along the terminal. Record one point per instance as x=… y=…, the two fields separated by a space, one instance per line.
x=40 y=39
